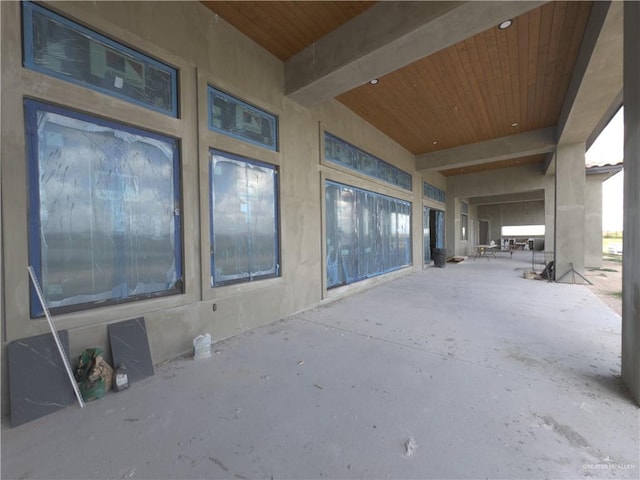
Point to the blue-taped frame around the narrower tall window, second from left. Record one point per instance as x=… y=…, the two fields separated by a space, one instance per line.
x=276 y=205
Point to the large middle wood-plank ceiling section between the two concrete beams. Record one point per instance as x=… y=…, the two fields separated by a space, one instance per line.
x=477 y=89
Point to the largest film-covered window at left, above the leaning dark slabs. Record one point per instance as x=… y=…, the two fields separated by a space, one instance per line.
x=104 y=210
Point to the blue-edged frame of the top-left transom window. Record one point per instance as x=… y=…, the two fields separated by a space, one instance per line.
x=28 y=9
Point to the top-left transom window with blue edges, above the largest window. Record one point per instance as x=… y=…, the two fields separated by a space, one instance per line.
x=59 y=47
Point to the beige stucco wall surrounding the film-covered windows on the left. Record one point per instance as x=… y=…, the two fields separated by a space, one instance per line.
x=206 y=50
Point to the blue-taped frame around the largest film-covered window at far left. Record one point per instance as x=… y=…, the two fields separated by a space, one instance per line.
x=31 y=109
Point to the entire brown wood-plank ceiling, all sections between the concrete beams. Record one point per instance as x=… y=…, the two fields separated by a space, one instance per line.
x=497 y=83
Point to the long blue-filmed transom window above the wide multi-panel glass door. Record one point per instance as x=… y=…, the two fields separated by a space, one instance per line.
x=343 y=153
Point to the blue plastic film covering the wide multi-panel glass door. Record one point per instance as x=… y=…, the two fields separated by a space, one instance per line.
x=368 y=234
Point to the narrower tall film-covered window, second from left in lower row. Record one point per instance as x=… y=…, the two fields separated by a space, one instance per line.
x=244 y=219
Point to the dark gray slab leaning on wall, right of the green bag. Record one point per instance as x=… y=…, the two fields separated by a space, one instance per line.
x=129 y=345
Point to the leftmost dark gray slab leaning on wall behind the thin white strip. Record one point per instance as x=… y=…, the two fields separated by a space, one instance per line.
x=38 y=382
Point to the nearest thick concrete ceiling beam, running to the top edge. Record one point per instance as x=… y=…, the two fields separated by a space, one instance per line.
x=384 y=38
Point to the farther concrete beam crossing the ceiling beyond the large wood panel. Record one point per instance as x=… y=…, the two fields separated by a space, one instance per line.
x=504 y=148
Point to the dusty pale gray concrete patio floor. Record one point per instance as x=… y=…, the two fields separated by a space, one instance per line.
x=469 y=371
